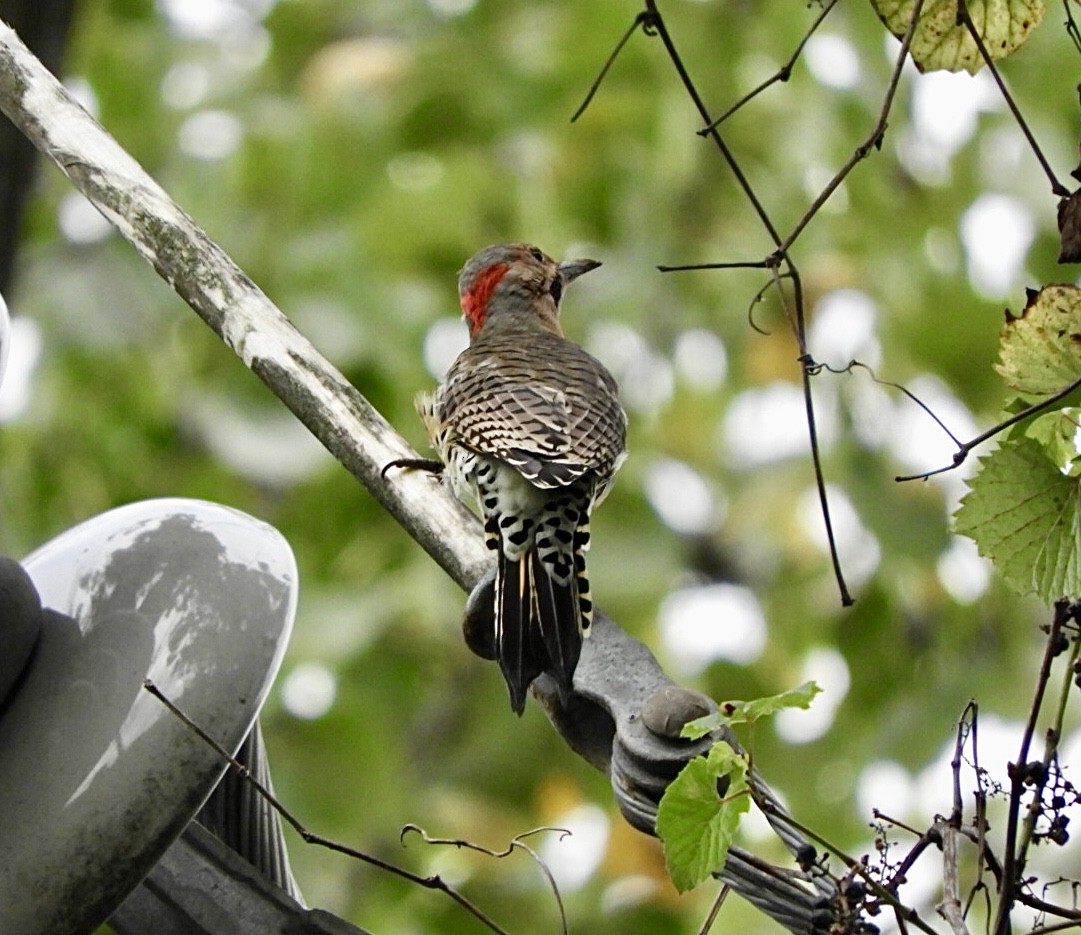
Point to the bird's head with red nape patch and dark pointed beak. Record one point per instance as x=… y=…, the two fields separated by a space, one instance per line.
x=516 y=283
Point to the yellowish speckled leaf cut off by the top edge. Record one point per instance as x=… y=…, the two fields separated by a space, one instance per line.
x=941 y=43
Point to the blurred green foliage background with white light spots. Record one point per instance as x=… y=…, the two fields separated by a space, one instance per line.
x=351 y=156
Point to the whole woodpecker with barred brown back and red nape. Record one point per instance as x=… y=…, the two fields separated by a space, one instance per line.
x=529 y=426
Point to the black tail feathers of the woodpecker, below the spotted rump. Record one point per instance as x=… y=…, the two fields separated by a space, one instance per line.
x=537 y=626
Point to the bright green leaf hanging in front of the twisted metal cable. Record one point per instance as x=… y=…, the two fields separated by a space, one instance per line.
x=697 y=825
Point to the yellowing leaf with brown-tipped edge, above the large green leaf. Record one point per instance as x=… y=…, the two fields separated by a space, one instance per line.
x=1040 y=352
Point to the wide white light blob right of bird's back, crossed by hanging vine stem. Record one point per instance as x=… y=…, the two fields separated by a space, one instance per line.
x=769 y=424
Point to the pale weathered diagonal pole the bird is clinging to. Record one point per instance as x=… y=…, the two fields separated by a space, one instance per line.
x=238 y=312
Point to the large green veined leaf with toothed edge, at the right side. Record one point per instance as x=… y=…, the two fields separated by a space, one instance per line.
x=1025 y=516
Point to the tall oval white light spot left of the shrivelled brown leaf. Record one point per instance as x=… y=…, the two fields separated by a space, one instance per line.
x=997 y=232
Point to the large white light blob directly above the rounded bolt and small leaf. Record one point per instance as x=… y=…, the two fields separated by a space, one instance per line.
x=706 y=623
